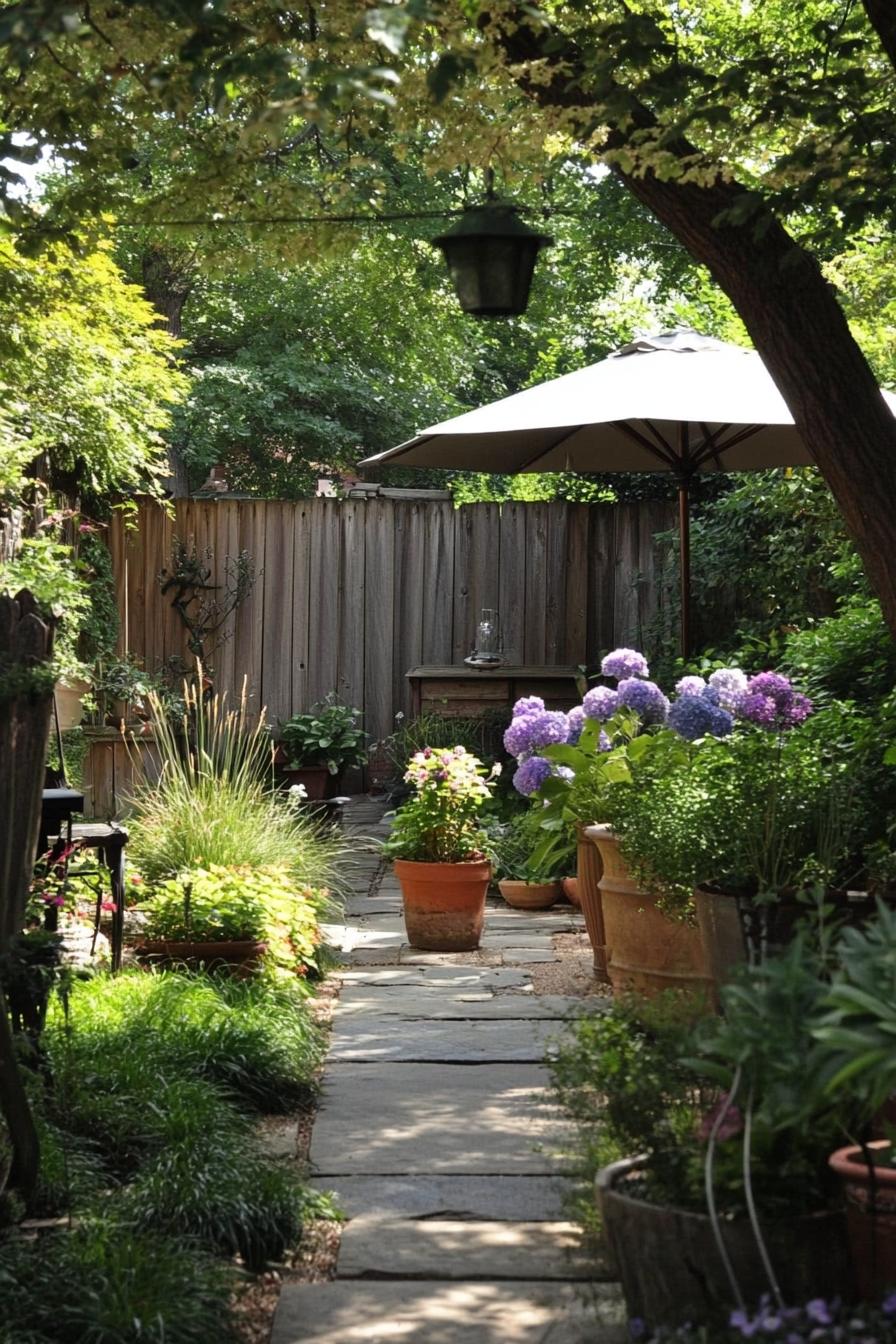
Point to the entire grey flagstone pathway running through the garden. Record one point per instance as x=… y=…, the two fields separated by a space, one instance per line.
x=439 y=1138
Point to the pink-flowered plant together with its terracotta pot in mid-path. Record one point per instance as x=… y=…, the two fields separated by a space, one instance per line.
x=440 y=850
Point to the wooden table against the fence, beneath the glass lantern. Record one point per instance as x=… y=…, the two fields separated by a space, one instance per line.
x=460 y=691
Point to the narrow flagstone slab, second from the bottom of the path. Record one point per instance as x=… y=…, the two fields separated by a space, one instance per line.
x=467 y=1251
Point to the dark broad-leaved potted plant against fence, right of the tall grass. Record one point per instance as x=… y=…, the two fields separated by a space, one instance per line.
x=319 y=747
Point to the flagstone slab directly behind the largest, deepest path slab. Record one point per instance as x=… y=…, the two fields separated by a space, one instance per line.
x=452 y=1042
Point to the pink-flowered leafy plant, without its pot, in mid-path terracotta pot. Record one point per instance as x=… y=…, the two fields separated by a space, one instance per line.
x=441 y=822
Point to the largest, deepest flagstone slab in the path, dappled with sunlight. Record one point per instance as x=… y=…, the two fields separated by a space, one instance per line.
x=405 y=1119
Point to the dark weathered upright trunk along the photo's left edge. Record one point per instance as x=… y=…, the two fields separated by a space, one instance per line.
x=26 y=700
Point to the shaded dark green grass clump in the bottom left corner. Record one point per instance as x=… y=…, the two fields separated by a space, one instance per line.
x=104 y=1283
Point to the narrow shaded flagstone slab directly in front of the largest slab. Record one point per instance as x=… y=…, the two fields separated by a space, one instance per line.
x=392 y=1198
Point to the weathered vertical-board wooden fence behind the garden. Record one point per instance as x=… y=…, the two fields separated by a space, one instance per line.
x=350 y=595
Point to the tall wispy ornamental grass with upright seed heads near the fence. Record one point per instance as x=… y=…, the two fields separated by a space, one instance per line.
x=216 y=803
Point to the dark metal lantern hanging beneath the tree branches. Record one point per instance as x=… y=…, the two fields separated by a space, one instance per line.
x=491 y=255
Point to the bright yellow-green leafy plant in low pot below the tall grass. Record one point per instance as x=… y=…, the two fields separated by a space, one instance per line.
x=256 y=905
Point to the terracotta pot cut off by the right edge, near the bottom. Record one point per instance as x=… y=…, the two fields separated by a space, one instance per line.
x=871 y=1217
